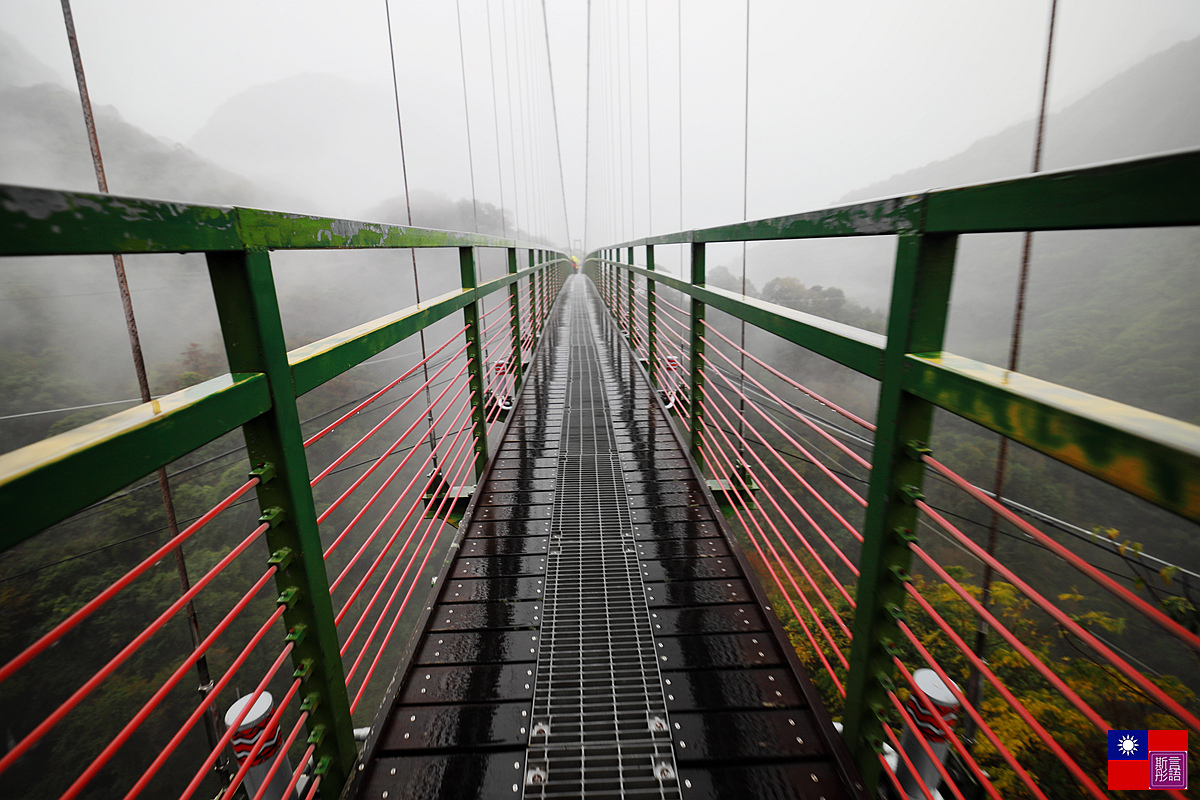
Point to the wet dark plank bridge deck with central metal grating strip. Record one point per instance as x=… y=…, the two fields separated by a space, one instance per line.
x=596 y=634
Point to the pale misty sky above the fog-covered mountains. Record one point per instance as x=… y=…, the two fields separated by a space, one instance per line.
x=842 y=95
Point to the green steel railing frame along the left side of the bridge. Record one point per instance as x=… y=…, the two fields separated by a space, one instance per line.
x=51 y=480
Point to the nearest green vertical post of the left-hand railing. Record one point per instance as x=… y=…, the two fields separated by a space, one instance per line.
x=248 y=308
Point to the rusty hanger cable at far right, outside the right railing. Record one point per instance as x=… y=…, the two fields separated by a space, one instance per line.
x=975 y=683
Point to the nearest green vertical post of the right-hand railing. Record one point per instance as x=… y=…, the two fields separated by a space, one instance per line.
x=916 y=324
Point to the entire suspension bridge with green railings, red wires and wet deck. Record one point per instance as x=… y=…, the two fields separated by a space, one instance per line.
x=577 y=528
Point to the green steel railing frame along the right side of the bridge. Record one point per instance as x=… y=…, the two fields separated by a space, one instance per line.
x=1149 y=455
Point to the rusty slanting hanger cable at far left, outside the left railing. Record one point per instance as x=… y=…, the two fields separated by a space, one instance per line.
x=212 y=724
